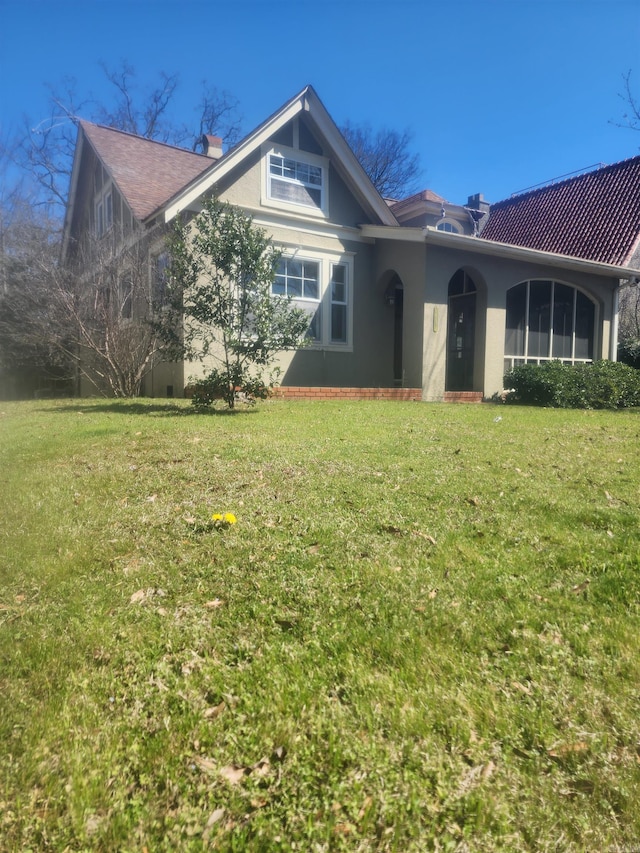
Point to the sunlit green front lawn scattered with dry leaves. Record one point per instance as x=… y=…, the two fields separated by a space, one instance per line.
x=421 y=634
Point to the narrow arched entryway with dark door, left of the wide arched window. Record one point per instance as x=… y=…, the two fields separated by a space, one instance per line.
x=461 y=332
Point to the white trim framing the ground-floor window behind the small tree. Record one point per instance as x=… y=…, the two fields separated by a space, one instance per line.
x=326 y=262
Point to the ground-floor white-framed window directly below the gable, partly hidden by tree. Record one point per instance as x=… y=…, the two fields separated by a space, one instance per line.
x=321 y=288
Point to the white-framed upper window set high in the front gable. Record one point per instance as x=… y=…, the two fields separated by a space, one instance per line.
x=296 y=179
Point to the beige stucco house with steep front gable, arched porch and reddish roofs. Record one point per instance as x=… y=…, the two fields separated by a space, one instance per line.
x=412 y=298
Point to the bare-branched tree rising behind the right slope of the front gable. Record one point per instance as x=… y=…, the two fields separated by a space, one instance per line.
x=386 y=158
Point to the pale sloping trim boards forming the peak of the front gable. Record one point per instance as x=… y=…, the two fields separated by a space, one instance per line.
x=343 y=159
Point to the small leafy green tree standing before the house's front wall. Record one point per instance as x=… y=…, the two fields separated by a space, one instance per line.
x=221 y=274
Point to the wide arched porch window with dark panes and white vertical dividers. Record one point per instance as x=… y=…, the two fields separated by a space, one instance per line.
x=548 y=320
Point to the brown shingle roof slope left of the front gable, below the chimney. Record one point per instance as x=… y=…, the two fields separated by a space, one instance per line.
x=147 y=173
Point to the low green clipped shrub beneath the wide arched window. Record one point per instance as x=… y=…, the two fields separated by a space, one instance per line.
x=600 y=385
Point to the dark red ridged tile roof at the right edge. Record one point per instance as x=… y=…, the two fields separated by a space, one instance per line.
x=595 y=216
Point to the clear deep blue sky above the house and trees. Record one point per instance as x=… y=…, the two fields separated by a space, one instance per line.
x=500 y=95
